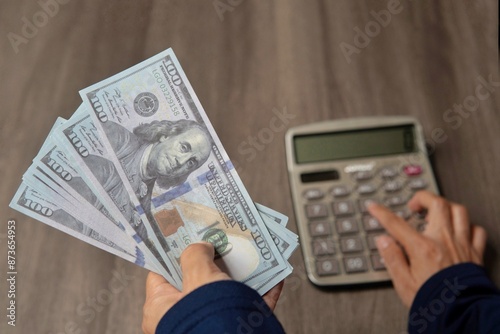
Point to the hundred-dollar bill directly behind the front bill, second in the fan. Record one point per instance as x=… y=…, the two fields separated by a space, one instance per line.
x=79 y=139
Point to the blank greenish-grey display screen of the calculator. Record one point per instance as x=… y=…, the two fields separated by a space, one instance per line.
x=354 y=144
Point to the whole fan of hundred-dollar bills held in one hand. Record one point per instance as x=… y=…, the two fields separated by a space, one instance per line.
x=139 y=172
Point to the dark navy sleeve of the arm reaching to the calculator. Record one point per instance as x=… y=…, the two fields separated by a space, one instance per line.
x=458 y=299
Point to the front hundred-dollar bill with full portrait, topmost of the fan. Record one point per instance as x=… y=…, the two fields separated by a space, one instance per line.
x=168 y=155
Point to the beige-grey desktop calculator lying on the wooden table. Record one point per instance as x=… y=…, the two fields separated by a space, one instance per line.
x=335 y=169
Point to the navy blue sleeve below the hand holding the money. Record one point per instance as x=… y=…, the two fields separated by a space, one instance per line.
x=220 y=307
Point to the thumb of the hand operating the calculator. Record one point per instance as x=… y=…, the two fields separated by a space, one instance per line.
x=398 y=268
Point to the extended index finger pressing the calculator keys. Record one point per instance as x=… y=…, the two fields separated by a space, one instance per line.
x=396 y=227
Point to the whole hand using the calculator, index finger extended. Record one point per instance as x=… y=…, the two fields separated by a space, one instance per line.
x=448 y=239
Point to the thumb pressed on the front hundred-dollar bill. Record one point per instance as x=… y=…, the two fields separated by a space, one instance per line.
x=198 y=267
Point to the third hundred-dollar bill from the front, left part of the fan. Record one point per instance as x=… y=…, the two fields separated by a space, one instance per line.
x=54 y=164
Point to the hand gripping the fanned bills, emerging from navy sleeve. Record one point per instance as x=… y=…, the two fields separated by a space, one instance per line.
x=198 y=268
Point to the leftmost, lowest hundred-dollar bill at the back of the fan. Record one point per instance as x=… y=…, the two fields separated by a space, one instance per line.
x=35 y=205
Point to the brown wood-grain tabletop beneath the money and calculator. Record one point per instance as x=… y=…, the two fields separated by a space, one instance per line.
x=246 y=59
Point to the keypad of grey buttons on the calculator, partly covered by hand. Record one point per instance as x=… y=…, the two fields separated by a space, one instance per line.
x=342 y=231
